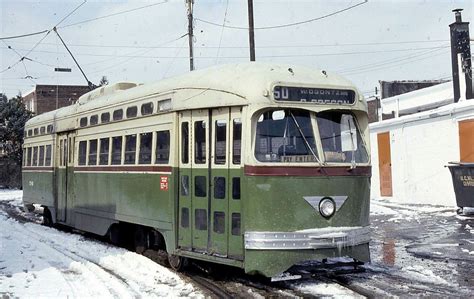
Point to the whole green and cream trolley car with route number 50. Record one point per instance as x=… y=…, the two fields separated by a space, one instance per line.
x=252 y=165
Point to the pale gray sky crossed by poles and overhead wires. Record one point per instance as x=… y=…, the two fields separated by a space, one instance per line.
x=379 y=40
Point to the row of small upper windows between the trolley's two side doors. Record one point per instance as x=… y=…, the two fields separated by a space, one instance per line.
x=130 y=112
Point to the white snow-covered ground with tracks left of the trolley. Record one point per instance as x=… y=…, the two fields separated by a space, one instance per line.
x=37 y=261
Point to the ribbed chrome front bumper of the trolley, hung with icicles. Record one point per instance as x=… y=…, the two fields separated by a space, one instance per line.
x=331 y=237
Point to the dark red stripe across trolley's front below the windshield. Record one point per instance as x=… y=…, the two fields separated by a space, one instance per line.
x=307 y=171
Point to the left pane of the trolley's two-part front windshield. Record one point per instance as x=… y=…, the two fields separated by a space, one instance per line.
x=285 y=136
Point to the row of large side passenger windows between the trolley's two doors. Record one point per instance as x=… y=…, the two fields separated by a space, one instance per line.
x=119 y=150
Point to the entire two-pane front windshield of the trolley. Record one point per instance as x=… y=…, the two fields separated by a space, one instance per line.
x=291 y=136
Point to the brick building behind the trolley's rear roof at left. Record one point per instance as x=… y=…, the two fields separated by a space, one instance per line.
x=44 y=98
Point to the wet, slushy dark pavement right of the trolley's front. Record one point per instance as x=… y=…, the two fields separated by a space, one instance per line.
x=419 y=250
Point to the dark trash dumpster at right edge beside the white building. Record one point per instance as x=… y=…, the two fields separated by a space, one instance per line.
x=463 y=182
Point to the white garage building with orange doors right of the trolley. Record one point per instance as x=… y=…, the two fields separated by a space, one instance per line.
x=410 y=151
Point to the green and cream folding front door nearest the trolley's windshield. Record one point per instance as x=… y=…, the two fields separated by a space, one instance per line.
x=209 y=176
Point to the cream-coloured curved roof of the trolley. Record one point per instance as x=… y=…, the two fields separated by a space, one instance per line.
x=245 y=83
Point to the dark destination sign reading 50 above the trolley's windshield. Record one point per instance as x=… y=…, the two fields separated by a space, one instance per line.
x=314 y=95
